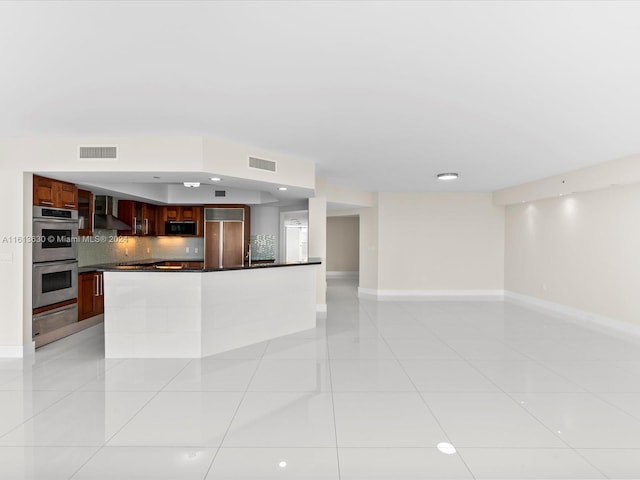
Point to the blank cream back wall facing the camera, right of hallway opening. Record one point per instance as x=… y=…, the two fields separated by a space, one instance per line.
x=440 y=242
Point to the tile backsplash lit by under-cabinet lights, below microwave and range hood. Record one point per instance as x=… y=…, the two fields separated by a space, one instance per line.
x=106 y=247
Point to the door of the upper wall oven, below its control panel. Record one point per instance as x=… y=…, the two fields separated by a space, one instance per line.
x=54 y=240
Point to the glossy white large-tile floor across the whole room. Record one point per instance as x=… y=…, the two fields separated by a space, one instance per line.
x=370 y=394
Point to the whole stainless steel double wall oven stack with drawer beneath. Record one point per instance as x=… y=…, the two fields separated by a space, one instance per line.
x=55 y=270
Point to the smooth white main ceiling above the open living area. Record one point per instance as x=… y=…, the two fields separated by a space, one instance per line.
x=382 y=96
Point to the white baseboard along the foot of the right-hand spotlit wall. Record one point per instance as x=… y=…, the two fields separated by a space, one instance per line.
x=574 y=314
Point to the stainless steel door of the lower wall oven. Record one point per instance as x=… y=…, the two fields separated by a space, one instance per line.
x=54 y=282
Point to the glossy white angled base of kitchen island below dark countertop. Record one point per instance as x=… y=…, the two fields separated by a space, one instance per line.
x=151 y=314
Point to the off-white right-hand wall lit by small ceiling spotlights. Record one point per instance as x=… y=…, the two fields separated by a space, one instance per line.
x=580 y=251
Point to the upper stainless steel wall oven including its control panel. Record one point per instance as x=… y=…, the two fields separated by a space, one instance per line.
x=55 y=234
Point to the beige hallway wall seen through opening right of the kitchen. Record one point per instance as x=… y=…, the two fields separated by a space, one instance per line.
x=343 y=244
